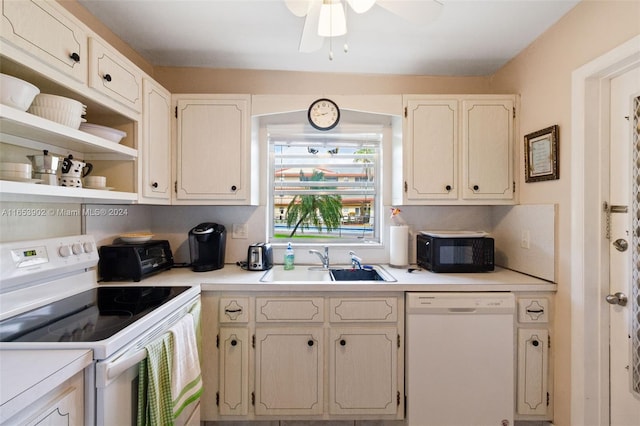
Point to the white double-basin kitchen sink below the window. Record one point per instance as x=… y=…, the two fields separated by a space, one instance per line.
x=302 y=274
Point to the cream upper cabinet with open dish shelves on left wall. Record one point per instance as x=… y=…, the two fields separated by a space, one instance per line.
x=42 y=43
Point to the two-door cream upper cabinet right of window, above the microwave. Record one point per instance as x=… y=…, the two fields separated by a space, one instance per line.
x=458 y=150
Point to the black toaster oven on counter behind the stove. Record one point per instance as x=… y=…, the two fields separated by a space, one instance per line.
x=134 y=261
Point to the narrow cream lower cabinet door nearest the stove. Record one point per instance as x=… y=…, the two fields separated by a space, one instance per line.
x=234 y=347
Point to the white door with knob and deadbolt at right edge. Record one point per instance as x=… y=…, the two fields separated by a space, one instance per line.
x=624 y=274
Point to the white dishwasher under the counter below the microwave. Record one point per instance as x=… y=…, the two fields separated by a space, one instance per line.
x=460 y=359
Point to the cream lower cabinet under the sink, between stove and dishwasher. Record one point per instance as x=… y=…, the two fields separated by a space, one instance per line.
x=303 y=357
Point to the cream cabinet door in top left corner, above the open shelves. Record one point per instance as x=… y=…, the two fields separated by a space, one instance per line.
x=46 y=31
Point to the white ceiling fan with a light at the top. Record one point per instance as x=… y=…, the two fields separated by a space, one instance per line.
x=326 y=18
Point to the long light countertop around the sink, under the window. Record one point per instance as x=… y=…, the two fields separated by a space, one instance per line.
x=233 y=278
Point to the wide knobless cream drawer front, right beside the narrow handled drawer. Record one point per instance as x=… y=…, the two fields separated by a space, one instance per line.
x=289 y=309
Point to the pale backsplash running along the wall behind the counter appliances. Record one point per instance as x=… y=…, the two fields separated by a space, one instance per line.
x=505 y=223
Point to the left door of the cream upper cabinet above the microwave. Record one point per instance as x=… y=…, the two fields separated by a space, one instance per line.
x=431 y=150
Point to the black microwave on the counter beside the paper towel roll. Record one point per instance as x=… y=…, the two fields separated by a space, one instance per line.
x=455 y=251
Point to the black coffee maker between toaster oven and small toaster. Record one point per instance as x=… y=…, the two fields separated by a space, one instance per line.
x=207 y=243
